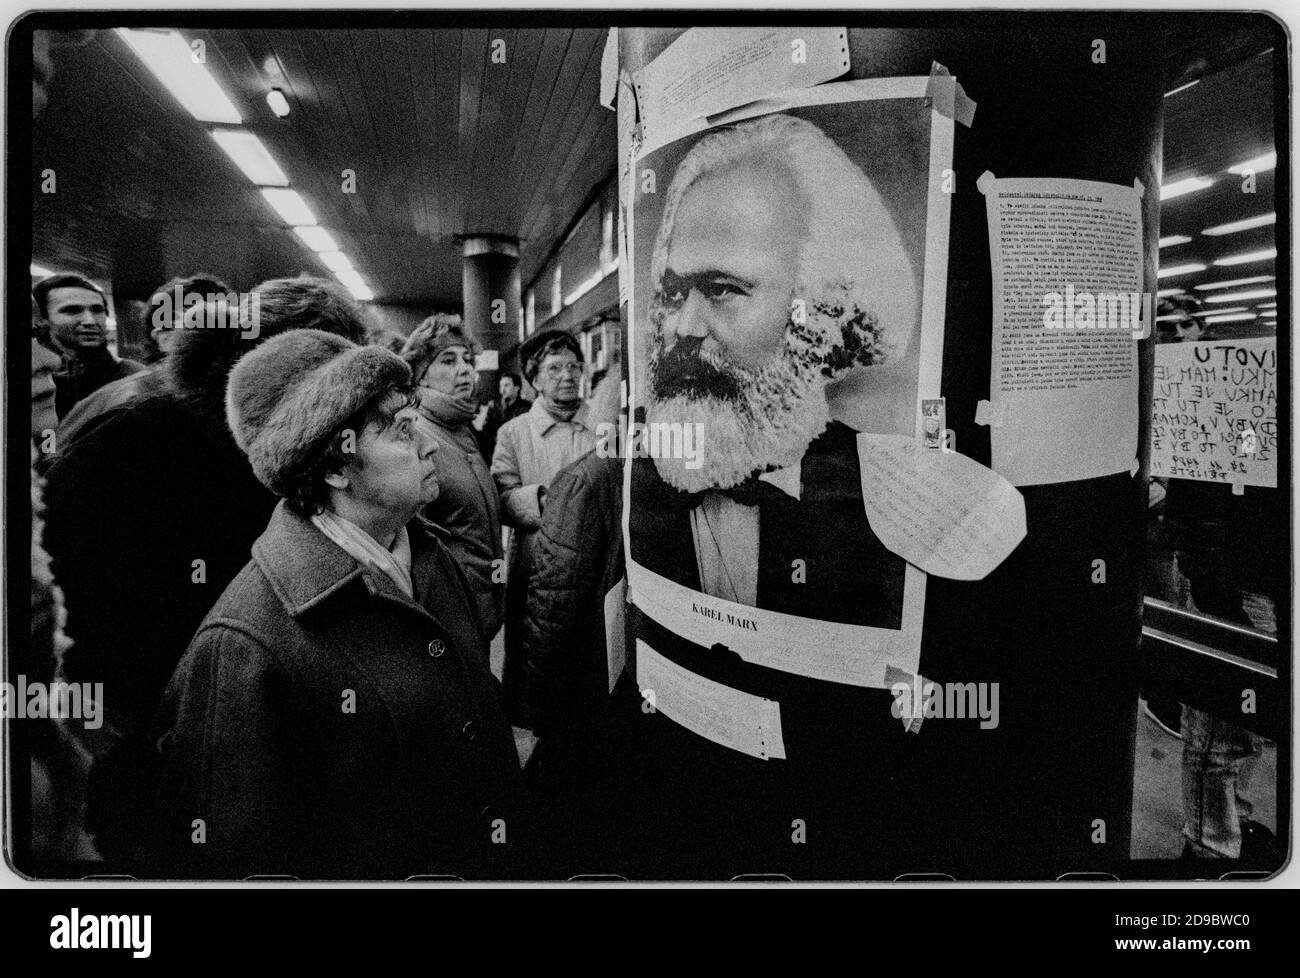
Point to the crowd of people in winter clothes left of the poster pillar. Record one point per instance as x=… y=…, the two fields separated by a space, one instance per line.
x=283 y=553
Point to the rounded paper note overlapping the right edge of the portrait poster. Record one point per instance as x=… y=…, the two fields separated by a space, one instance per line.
x=939 y=510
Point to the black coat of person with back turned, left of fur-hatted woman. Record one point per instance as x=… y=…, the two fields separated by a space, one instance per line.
x=151 y=510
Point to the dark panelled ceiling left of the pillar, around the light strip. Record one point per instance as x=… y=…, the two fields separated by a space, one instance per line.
x=447 y=133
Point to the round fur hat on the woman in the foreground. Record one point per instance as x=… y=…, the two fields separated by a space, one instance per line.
x=288 y=397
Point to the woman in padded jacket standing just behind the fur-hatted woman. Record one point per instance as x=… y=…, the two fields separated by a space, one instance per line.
x=441 y=354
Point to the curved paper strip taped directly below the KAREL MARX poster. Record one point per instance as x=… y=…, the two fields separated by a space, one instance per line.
x=720 y=713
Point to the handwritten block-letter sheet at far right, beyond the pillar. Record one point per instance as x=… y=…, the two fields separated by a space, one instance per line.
x=1215 y=412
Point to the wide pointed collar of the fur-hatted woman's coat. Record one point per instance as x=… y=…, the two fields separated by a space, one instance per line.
x=306 y=569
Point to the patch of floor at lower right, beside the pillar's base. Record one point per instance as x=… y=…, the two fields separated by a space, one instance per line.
x=1158 y=803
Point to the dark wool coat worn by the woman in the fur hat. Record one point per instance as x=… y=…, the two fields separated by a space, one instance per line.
x=324 y=725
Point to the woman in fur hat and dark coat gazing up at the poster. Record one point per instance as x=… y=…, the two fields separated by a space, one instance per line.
x=336 y=715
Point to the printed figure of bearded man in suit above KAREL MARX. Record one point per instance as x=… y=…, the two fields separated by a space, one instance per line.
x=777 y=271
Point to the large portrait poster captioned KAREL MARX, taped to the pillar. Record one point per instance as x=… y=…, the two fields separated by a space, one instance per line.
x=778 y=287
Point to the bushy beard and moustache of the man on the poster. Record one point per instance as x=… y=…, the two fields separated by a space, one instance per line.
x=751 y=421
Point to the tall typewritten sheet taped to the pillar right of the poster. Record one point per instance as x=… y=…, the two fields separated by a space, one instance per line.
x=1068 y=311
